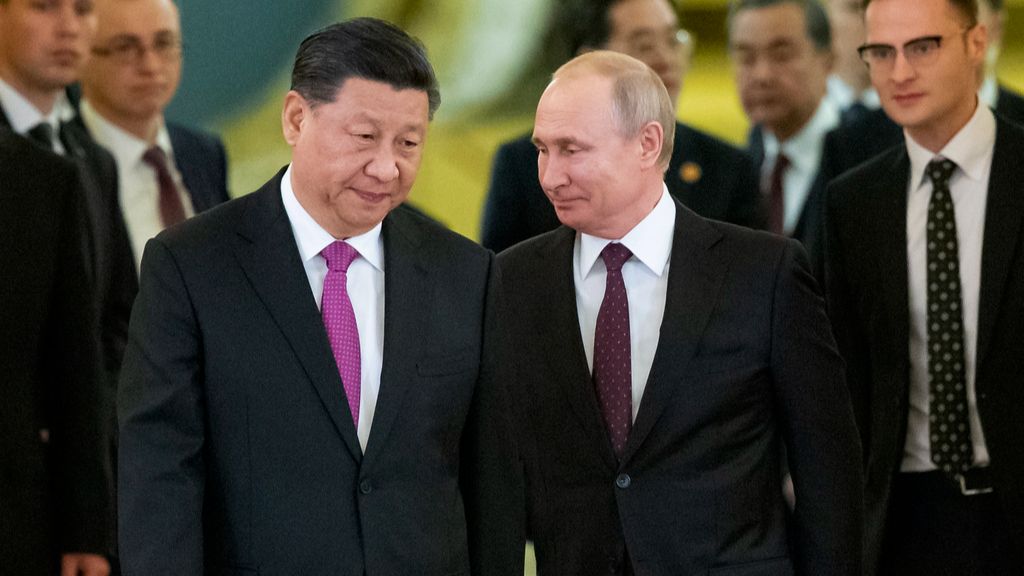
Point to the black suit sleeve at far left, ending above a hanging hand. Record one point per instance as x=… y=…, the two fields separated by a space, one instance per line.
x=83 y=473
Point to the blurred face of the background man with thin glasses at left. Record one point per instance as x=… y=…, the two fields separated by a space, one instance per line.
x=135 y=94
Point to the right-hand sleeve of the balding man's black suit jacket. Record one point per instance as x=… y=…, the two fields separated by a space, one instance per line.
x=818 y=426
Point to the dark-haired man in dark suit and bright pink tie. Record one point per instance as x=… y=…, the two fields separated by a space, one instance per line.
x=311 y=386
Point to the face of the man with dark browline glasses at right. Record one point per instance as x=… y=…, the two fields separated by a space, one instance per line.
x=931 y=101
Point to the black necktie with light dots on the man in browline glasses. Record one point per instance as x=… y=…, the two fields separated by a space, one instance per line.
x=950 y=429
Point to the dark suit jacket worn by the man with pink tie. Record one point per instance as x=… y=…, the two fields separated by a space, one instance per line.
x=238 y=452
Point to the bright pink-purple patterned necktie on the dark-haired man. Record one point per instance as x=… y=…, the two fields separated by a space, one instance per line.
x=339 y=319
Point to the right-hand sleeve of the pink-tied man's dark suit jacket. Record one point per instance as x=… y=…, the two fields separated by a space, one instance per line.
x=491 y=476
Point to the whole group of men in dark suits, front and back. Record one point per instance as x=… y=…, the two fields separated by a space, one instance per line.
x=687 y=358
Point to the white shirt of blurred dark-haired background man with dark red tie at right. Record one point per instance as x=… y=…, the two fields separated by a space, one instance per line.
x=804 y=152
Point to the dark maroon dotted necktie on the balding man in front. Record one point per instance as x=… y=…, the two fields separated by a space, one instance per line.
x=613 y=374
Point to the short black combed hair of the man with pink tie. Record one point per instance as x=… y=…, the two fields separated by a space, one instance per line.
x=367 y=49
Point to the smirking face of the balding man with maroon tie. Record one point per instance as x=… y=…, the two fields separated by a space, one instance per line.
x=598 y=180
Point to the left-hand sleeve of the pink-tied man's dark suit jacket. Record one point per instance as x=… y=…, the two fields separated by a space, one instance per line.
x=161 y=418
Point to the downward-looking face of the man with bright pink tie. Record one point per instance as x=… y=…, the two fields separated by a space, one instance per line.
x=356 y=158
